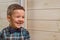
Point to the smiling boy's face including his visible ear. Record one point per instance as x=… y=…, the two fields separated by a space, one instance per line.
x=17 y=18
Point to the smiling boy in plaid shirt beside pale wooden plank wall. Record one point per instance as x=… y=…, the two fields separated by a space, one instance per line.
x=15 y=16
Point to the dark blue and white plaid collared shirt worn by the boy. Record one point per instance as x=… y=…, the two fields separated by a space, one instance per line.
x=11 y=34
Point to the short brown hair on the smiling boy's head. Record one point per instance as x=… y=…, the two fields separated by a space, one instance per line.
x=13 y=7
